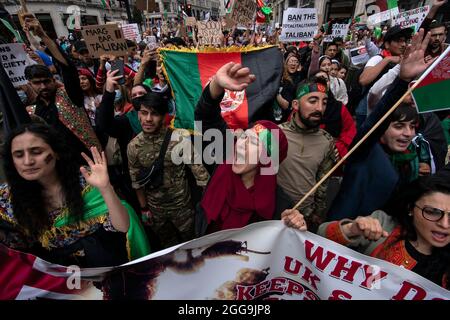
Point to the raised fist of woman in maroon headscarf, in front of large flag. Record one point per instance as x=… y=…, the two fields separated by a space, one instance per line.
x=231 y=76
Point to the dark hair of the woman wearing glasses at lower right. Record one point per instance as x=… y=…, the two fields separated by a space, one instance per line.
x=402 y=204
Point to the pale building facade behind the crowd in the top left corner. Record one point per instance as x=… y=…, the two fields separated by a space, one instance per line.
x=53 y=15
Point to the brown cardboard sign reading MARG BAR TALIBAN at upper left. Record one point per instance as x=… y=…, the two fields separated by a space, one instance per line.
x=104 y=39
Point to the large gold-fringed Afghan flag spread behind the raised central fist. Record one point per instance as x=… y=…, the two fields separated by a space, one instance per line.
x=189 y=71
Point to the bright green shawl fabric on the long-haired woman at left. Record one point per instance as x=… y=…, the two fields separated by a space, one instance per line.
x=95 y=208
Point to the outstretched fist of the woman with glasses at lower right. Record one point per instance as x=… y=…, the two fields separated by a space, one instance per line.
x=368 y=227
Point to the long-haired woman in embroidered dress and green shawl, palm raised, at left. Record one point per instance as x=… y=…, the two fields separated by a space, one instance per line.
x=71 y=218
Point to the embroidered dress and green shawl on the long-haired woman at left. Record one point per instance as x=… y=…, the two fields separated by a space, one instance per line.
x=65 y=230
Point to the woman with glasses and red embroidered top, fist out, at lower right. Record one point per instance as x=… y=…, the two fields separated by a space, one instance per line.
x=413 y=233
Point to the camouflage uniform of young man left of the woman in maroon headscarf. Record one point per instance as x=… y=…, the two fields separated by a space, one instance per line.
x=171 y=207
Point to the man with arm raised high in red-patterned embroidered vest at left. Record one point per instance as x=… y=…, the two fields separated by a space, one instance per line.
x=60 y=107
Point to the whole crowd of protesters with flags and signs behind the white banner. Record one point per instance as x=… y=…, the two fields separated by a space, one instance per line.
x=107 y=148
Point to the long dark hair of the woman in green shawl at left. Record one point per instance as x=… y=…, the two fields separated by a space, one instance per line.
x=27 y=198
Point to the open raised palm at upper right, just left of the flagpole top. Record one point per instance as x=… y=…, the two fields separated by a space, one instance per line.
x=414 y=63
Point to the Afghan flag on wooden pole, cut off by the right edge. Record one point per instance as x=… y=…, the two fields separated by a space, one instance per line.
x=432 y=93
